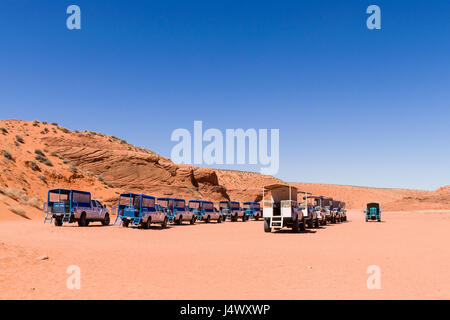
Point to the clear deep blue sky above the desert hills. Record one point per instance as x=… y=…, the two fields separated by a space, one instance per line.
x=354 y=106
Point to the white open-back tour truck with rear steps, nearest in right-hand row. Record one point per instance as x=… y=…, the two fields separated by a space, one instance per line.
x=280 y=208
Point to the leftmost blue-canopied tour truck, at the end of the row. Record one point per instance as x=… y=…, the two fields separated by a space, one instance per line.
x=68 y=206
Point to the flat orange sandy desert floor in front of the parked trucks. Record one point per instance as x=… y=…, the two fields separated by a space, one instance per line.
x=230 y=260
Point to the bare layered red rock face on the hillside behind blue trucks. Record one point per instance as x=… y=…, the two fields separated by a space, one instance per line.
x=133 y=169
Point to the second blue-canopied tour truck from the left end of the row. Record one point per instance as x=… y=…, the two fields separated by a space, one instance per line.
x=139 y=210
